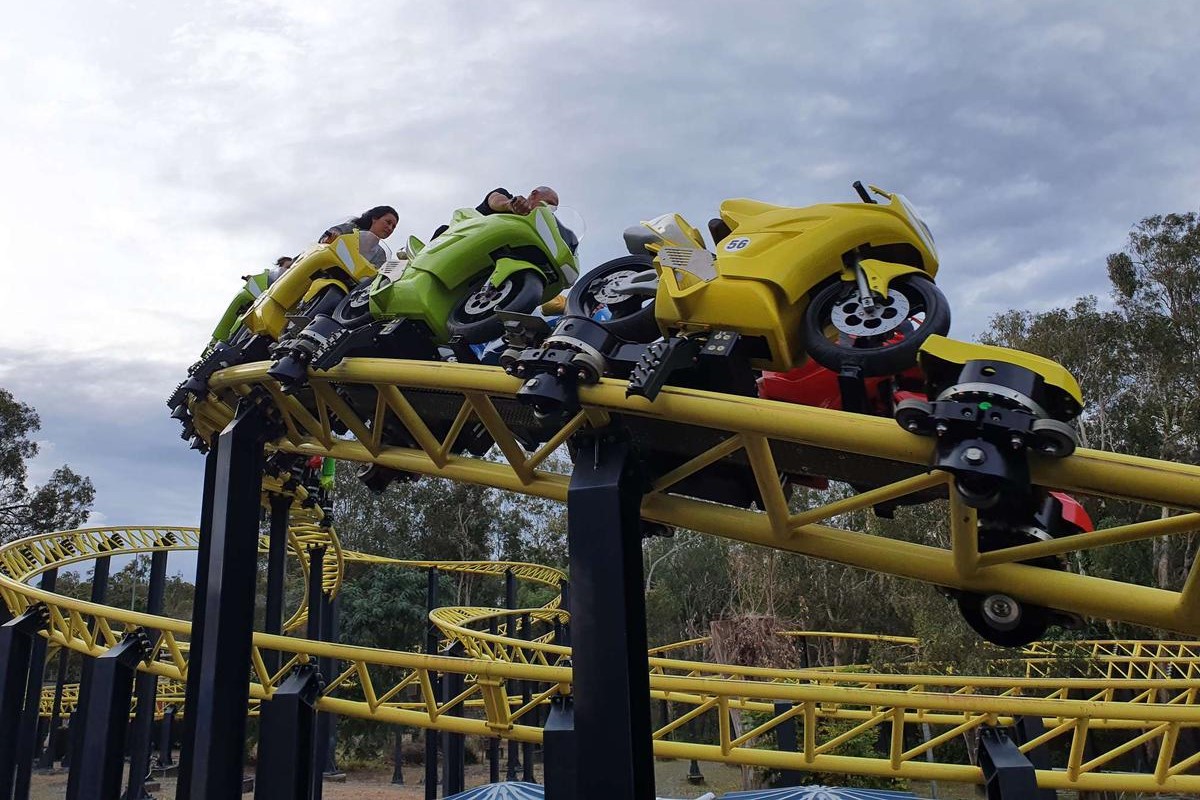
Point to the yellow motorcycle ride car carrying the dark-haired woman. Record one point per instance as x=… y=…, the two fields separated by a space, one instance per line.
x=315 y=284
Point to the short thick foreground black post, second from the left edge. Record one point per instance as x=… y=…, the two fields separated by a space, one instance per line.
x=103 y=762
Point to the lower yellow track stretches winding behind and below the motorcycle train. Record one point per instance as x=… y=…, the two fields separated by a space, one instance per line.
x=1142 y=693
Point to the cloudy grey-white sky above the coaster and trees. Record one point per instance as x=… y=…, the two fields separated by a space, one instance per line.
x=152 y=153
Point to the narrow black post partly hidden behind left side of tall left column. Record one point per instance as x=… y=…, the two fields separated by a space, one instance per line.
x=200 y=603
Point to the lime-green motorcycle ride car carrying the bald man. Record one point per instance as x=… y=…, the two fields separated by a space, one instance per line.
x=446 y=293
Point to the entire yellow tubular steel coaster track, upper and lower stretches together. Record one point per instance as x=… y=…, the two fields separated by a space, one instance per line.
x=1145 y=689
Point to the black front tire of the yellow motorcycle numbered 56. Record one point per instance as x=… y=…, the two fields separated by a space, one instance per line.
x=890 y=353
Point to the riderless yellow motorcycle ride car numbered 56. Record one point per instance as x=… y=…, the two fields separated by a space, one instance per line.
x=849 y=285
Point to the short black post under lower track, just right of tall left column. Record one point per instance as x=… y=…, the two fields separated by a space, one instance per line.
x=286 y=771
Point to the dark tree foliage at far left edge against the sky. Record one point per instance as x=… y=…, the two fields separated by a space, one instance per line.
x=63 y=502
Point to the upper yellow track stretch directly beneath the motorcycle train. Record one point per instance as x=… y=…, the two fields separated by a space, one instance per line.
x=763 y=438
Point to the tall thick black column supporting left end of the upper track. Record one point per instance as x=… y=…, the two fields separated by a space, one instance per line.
x=220 y=720
